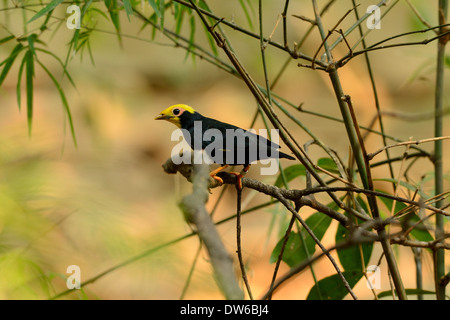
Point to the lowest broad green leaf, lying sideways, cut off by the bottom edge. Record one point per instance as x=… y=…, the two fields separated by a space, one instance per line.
x=332 y=287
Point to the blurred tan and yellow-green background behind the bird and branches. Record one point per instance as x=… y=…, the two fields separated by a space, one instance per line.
x=107 y=200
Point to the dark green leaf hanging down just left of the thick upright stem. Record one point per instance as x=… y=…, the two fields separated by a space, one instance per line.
x=350 y=258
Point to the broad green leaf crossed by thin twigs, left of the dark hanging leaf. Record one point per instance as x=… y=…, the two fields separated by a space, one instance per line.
x=296 y=249
